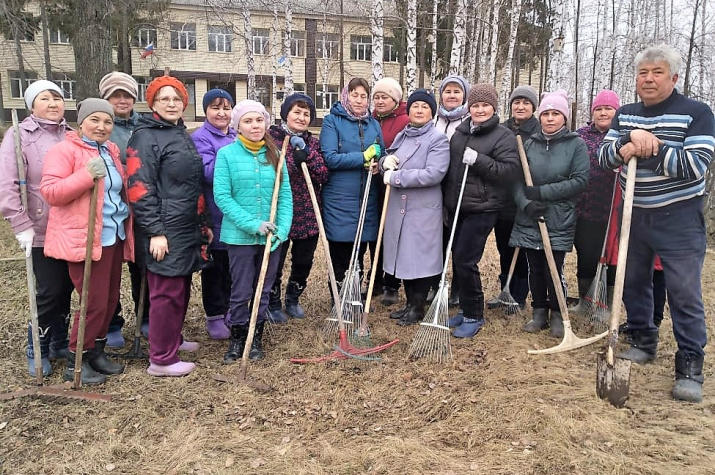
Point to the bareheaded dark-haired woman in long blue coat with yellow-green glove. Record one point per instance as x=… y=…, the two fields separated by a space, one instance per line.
x=351 y=140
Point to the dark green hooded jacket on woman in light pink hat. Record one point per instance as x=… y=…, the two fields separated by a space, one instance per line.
x=559 y=166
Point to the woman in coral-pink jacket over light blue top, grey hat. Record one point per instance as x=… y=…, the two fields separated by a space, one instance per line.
x=72 y=169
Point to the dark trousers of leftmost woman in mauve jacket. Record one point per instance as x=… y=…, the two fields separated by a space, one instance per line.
x=53 y=296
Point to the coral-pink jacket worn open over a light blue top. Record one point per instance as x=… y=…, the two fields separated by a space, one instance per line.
x=67 y=186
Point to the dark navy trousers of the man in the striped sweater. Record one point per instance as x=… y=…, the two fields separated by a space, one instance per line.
x=676 y=233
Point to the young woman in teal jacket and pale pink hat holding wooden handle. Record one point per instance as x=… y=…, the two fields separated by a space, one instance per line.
x=243 y=188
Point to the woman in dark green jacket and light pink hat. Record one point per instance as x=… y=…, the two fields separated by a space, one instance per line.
x=559 y=164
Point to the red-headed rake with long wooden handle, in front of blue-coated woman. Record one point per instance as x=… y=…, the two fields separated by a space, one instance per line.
x=343 y=349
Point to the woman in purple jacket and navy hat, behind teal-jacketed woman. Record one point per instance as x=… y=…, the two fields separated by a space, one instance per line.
x=215 y=280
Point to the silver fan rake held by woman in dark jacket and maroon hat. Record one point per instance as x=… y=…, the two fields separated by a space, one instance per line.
x=433 y=339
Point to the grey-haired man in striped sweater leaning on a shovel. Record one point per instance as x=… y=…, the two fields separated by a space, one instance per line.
x=672 y=137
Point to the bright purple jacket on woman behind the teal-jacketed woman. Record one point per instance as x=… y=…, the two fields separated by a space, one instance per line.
x=208 y=140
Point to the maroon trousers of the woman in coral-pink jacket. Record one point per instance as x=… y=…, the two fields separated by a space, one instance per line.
x=102 y=295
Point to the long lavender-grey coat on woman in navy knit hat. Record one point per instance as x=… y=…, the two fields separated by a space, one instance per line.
x=412 y=241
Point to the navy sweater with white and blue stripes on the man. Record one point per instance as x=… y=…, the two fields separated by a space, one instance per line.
x=677 y=173
